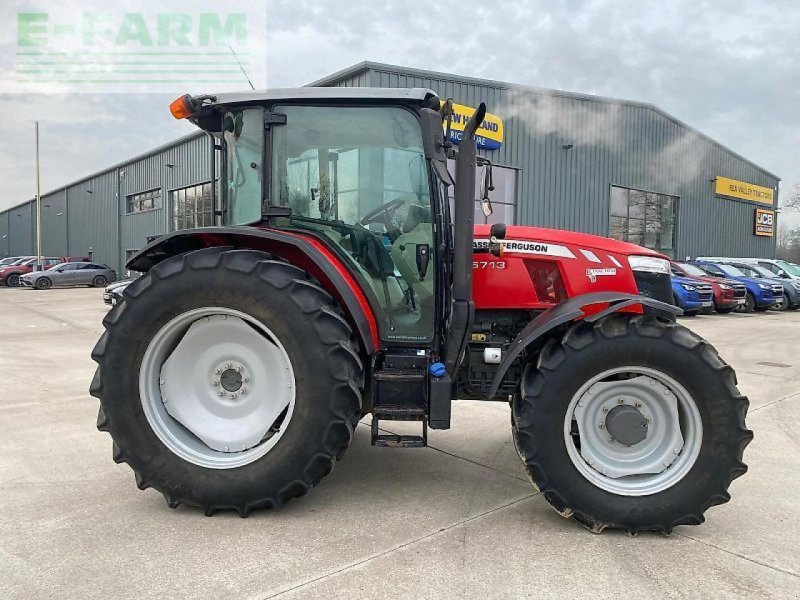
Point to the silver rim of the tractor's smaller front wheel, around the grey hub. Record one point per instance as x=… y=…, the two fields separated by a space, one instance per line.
x=664 y=457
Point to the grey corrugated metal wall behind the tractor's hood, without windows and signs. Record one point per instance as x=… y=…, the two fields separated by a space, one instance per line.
x=613 y=143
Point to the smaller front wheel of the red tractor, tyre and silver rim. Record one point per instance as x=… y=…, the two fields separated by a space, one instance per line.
x=631 y=423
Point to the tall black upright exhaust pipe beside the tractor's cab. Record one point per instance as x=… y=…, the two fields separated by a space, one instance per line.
x=464 y=222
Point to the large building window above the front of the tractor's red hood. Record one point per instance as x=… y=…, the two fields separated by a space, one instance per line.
x=644 y=218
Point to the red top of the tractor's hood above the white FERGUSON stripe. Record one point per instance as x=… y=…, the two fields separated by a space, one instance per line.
x=561 y=238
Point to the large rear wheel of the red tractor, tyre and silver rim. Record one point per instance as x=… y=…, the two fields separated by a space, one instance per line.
x=227 y=380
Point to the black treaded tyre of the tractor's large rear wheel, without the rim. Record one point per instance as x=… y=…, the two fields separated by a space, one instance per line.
x=327 y=377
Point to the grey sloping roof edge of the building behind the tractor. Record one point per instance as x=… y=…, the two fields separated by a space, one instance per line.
x=366 y=66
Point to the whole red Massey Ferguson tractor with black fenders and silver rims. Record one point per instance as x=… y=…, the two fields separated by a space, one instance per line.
x=340 y=281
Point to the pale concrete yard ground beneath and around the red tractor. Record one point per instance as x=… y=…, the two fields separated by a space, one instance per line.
x=456 y=520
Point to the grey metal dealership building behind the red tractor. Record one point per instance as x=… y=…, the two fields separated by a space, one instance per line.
x=572 y=161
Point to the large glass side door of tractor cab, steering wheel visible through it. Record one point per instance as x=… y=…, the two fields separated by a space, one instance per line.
x=358 y=177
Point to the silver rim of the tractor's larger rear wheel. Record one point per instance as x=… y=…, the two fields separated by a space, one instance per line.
x=217 y=387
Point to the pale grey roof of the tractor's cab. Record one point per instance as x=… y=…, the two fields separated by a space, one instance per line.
x=324 y=93
